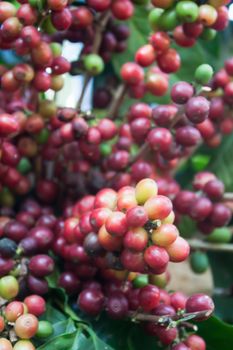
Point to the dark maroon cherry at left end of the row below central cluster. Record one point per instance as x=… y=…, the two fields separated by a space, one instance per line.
x=91 y=301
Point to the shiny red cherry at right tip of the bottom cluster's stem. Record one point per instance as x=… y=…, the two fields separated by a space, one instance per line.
x=200 y=302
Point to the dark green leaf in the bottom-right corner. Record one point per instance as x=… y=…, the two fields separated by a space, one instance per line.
x=217 y=334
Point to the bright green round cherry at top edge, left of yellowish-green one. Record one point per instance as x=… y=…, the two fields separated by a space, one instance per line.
x=187 y=11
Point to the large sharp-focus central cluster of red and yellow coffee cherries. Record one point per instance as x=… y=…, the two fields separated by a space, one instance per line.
x=129 y=230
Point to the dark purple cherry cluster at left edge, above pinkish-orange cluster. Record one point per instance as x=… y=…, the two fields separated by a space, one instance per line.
x=24 y=245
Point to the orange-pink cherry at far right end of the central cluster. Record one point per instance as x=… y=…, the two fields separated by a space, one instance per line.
x=179 y=250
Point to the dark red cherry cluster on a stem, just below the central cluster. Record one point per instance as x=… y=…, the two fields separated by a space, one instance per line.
x=135 y=299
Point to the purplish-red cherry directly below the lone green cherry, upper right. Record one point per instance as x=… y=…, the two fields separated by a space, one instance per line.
x=197 y=109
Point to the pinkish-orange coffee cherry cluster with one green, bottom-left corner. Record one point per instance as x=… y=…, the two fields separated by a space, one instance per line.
x=19 y=322
